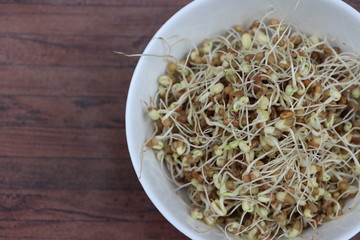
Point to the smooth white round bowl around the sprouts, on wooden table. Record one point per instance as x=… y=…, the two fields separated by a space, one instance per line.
x=197 y=21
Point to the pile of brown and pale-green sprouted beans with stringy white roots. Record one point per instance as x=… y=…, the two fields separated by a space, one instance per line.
x=261 y=127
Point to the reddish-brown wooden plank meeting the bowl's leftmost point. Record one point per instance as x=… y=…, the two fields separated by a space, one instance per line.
x=72 y=112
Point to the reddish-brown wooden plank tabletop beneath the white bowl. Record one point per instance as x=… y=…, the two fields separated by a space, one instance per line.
x=65 y=168
